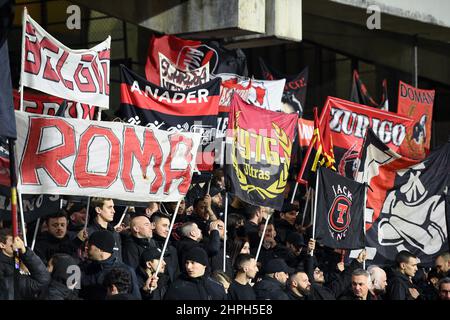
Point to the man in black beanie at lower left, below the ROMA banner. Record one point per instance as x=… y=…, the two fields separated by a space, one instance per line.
x=100 y=261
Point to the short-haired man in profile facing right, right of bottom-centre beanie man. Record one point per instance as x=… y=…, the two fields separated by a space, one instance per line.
x=246 y=269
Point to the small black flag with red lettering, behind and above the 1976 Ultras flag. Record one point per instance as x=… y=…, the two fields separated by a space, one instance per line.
x=294 y=93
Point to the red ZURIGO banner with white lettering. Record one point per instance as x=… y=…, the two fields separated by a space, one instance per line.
x=348 y=123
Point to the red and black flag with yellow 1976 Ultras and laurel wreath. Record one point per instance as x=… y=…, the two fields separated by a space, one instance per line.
x=260 y=150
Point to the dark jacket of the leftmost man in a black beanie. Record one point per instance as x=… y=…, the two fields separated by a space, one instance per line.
x=93 y=273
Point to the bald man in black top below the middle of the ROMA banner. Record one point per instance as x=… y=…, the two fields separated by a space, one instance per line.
x=140 y=239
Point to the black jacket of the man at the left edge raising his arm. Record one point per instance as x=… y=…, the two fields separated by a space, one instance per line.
x=30 y=286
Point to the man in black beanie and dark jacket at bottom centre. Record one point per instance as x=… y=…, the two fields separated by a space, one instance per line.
x=193 y=284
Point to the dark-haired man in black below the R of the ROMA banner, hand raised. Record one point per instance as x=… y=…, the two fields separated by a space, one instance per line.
x=56 y=238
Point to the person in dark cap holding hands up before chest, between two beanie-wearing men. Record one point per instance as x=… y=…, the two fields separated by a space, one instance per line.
x=152 y=287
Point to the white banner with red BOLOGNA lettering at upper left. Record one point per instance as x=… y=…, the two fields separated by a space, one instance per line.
x=75 y=75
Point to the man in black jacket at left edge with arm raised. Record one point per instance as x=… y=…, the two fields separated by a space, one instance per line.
x=29 y=286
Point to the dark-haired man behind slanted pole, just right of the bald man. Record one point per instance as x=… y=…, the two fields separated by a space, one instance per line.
x=161 y=224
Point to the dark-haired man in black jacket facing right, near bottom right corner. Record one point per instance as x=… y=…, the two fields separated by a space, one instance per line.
x=400 y=286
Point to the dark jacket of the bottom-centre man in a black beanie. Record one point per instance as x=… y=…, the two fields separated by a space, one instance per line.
x=201 y=288
